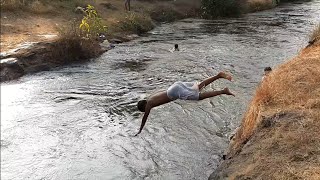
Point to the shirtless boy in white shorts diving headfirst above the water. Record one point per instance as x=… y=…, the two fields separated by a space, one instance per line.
x=181 y=90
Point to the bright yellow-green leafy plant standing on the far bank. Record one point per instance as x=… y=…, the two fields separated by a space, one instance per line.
x=91 y=24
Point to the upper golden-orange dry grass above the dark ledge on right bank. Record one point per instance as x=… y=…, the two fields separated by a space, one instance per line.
x=292 y=86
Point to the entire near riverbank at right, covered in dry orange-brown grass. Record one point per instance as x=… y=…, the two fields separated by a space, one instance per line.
x=279 y=134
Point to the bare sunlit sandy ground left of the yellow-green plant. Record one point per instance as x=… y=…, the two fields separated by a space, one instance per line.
x=19 y=27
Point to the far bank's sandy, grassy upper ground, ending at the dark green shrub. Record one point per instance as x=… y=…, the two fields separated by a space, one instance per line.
x=40 y=21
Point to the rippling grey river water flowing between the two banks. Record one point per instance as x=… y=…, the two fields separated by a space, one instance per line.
x=78 y=122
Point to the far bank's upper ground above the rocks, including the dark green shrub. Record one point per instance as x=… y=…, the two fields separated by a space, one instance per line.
x=28 y=20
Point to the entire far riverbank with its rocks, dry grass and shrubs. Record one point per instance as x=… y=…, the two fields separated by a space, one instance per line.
x=57 y=23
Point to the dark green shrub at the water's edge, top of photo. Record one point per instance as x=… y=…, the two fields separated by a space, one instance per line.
x=220 y=8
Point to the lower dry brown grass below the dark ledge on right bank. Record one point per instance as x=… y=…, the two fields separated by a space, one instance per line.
x=288 y=149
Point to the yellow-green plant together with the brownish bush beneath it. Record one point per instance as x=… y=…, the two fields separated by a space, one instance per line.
x=79 y=42
